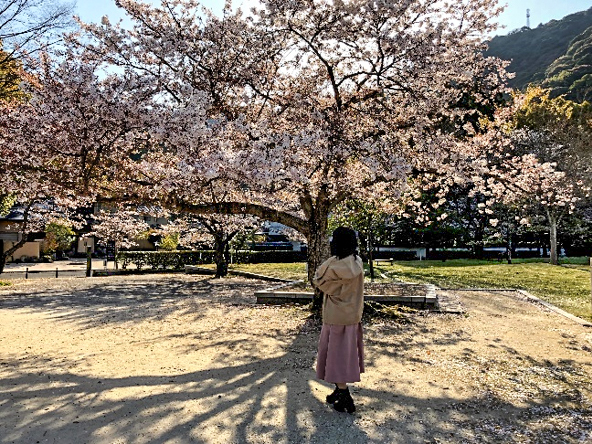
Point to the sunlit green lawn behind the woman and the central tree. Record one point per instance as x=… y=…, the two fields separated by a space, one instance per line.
x=566 y=286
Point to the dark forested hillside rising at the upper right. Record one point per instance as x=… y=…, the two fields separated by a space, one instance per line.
x=556 y=55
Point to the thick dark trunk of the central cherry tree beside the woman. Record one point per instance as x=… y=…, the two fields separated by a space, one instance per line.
x=318 y=251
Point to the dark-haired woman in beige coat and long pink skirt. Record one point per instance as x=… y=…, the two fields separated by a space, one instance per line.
x=340 y=357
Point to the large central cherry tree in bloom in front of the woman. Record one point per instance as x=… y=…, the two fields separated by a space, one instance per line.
x=309 y=103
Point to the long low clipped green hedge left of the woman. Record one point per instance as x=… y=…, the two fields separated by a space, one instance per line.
x=178 y=259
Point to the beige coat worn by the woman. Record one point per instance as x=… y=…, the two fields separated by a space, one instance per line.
x=342 y=282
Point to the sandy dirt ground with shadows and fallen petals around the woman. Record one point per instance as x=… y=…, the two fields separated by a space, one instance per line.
x=179 y=359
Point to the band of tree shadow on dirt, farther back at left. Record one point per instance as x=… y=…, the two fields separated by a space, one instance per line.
x=113 y=301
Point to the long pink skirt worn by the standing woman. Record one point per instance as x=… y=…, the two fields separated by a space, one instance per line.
x=341 y=353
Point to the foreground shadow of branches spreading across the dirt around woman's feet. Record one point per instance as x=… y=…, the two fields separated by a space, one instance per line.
x=269 y=400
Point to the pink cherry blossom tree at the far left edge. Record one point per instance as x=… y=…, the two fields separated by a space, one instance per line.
x=63 y=147
